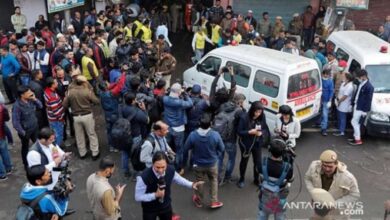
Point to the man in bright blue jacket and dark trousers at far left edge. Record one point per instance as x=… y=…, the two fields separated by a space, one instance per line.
x=9 y=67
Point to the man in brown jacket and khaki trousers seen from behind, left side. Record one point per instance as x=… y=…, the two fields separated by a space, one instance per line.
x=80 y=99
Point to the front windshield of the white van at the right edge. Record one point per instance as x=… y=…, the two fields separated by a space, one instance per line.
x=379 y=76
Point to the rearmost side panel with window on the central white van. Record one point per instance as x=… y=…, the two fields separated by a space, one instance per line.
x=265 y=88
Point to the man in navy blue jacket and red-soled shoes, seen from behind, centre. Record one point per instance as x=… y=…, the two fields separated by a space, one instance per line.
x=206 y=145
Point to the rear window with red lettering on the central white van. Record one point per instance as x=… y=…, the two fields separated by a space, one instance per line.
x=303 y=83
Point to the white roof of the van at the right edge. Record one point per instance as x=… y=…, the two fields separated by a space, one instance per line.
x=363 y=44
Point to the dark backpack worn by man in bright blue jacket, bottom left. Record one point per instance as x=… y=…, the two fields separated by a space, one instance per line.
x=28 y=209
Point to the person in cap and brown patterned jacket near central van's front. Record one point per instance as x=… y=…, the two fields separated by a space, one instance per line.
x=166 y=65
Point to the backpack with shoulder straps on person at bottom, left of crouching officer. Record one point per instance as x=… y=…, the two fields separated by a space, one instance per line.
x=272 y=197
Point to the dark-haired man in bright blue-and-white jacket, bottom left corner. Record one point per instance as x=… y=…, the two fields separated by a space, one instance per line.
x=49 y=206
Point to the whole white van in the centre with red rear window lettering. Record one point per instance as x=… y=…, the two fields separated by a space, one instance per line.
x=272 y=77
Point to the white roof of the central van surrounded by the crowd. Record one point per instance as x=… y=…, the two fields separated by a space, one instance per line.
x=260 y=56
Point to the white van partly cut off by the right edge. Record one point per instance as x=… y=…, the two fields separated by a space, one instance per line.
x=363 y=50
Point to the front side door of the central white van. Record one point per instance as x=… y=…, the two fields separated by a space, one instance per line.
x=207 y=70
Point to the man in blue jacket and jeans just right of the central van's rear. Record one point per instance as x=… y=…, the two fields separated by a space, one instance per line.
x=326 y=99
